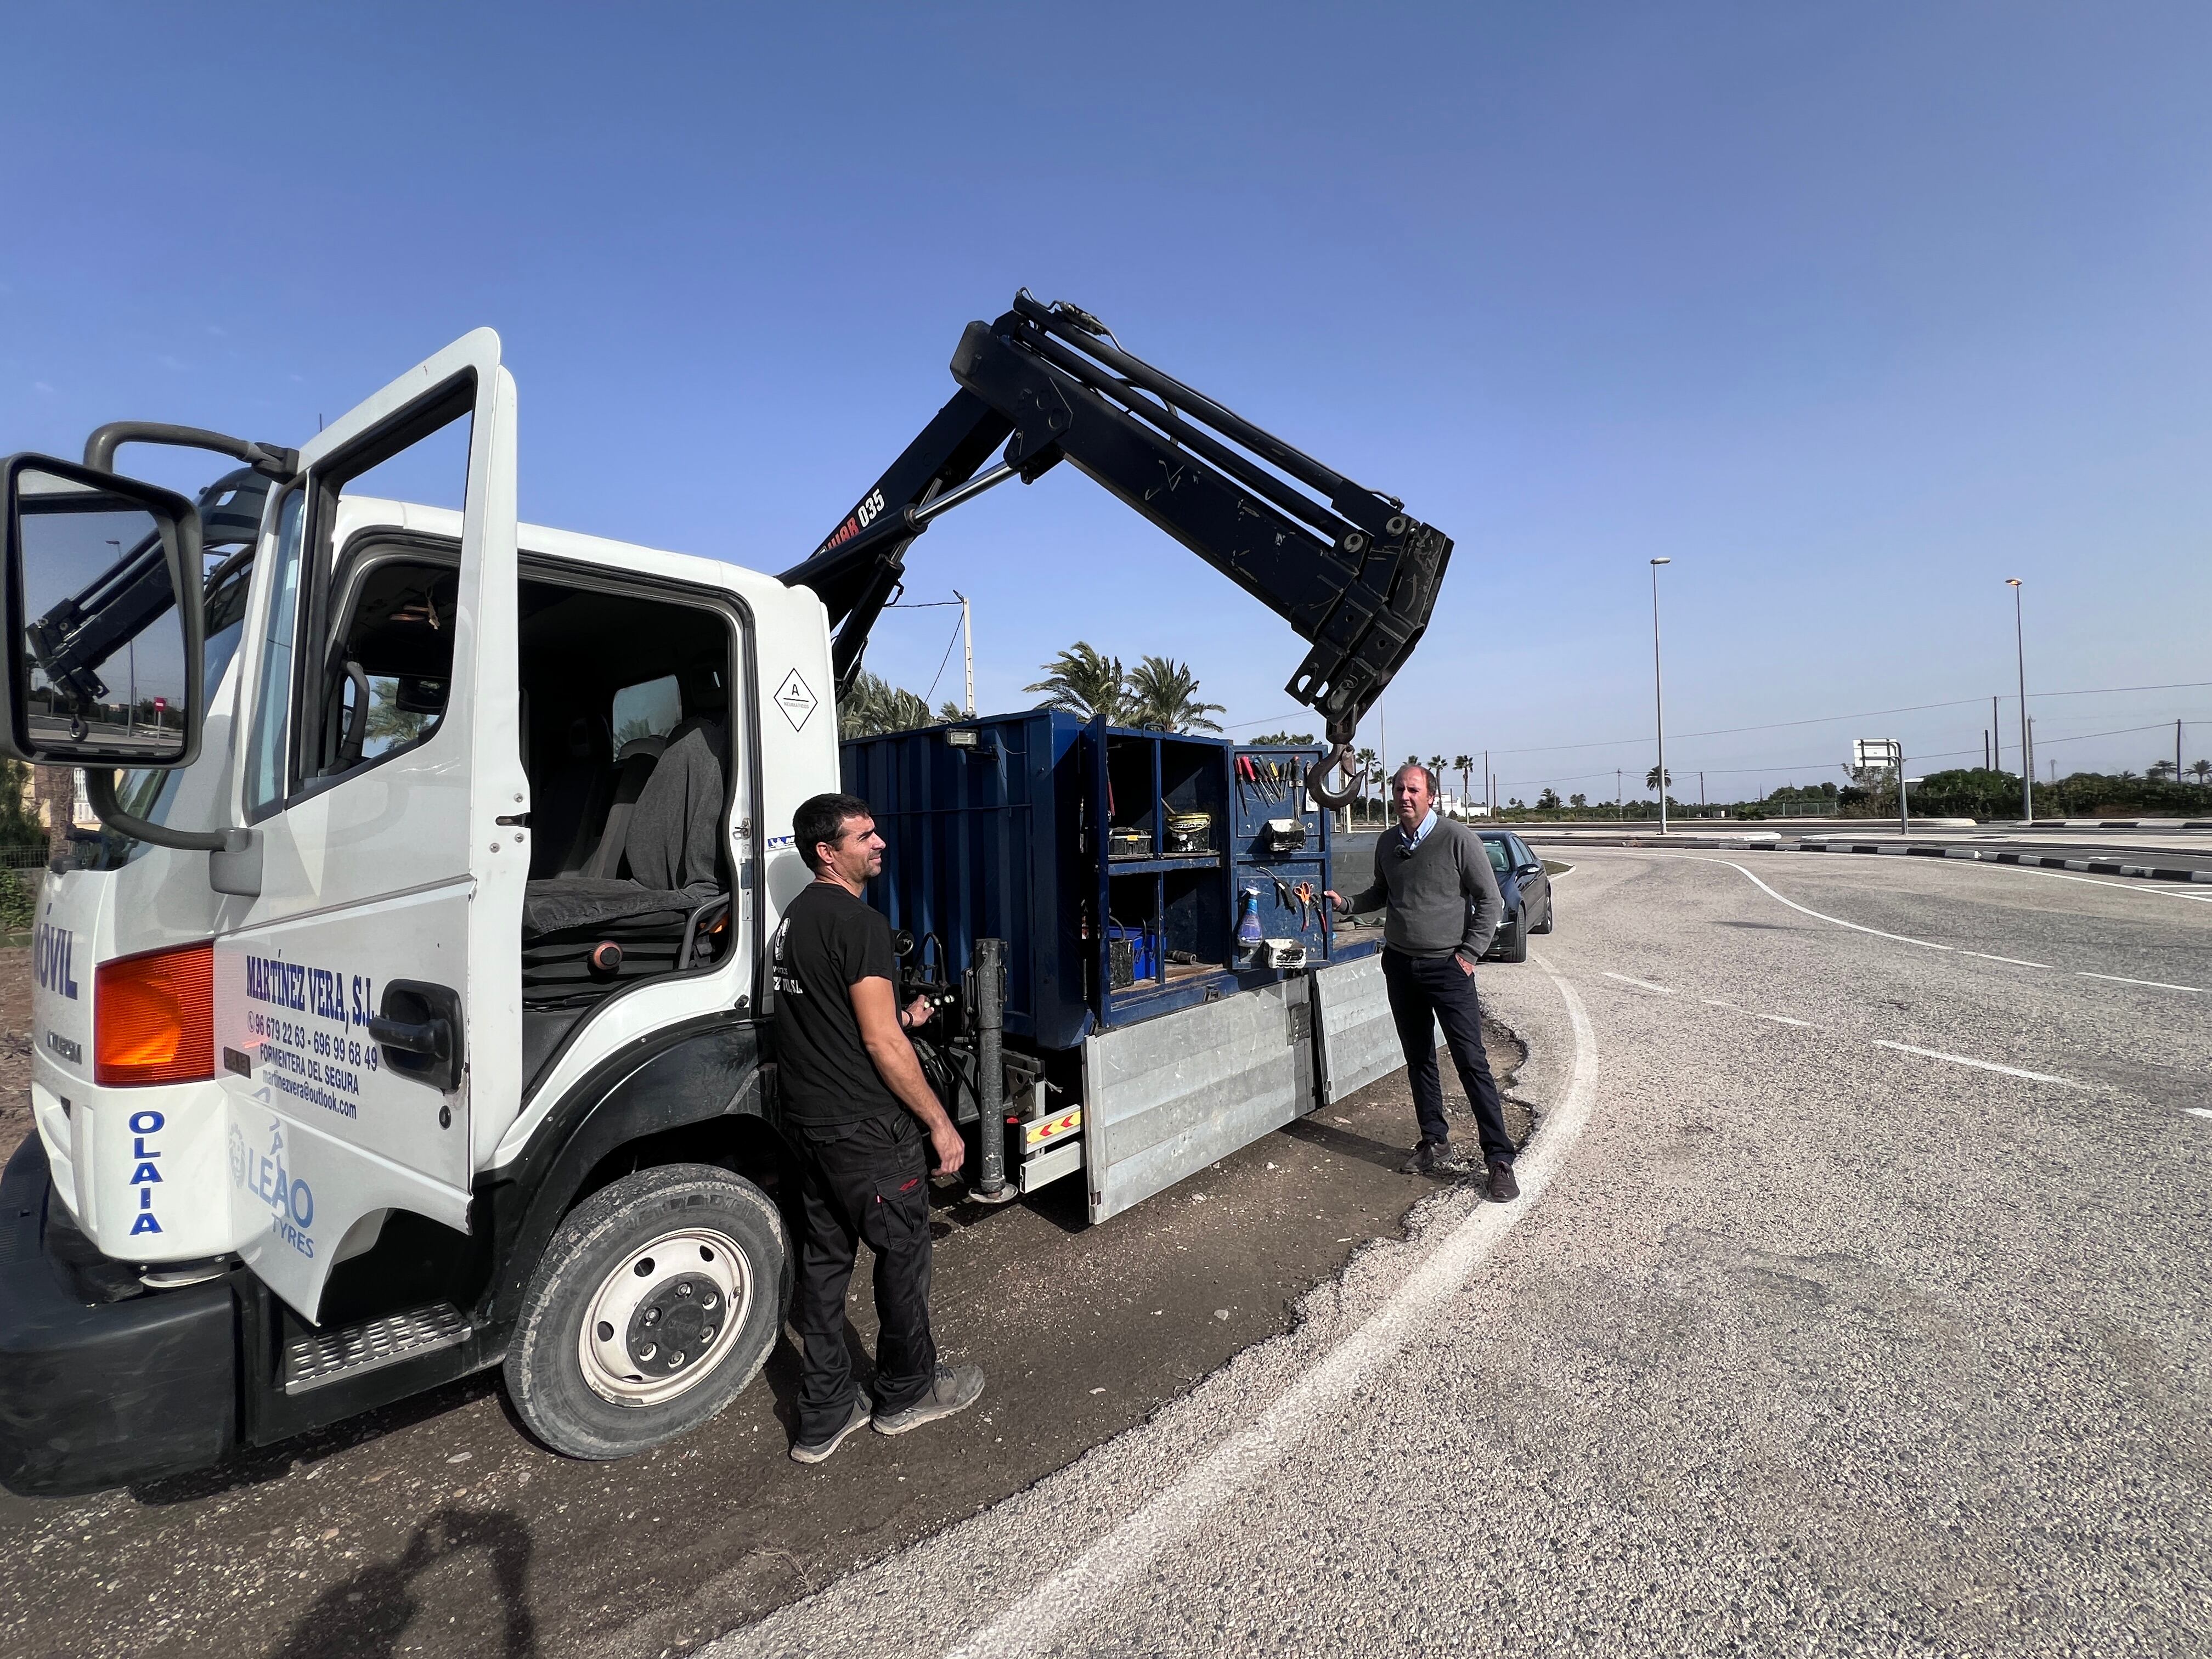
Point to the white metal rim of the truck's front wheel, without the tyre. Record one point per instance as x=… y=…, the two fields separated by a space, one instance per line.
x=665 y=1317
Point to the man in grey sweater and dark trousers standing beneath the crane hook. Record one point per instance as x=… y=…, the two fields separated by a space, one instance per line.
x=1443 y=901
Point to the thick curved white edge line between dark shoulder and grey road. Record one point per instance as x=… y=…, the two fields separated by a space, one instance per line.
x=1083 y=1587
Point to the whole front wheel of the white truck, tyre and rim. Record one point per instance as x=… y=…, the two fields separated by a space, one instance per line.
x=656 y=1304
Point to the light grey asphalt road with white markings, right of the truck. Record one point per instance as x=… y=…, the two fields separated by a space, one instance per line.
x=1857 y=1306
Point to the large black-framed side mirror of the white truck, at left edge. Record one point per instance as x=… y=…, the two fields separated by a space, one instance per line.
x=103 y=620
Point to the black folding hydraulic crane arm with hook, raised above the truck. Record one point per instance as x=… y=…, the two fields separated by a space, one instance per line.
x=1346 y=567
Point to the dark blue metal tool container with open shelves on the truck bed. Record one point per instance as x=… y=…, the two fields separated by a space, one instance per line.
x=1003 y=828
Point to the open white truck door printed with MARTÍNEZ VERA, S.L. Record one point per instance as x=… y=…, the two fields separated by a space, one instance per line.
x=368 y=999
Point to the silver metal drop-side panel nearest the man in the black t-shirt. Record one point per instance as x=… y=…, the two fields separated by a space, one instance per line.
x=1171 y=1096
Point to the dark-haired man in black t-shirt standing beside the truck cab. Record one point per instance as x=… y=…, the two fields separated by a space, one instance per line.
x=853 y=1094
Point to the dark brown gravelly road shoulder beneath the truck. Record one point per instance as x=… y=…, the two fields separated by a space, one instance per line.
x=441 y=1530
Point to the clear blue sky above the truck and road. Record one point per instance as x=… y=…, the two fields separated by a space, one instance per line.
x=1850 y=311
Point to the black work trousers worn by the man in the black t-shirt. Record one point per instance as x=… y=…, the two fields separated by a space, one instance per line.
x=866 y=1180
